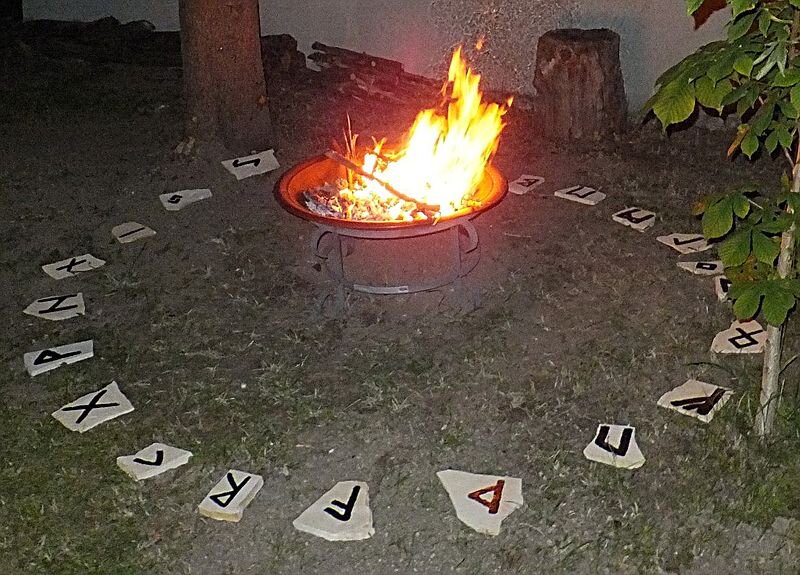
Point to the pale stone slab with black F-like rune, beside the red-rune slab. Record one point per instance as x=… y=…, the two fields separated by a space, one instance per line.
x=342 y=514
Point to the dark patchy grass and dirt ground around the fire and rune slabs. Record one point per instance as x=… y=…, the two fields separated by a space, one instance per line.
x=212 y=330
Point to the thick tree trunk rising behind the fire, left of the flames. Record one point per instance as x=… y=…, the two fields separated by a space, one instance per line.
x=223 y=76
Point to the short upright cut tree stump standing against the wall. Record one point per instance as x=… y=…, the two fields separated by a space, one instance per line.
x=578 y=79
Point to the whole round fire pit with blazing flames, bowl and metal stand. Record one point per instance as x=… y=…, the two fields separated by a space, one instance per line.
x=434 y=183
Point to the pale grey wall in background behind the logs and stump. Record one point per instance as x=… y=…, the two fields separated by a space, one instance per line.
x=421 y=33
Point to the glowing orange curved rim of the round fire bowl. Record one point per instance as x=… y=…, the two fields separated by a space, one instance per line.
x=289 y=200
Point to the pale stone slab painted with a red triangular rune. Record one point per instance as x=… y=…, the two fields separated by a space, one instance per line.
x=482 y=502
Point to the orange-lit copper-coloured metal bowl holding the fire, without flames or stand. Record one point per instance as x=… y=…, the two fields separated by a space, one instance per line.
x=315 y=172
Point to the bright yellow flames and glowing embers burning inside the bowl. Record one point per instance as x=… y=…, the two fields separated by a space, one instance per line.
x=436 y=170
